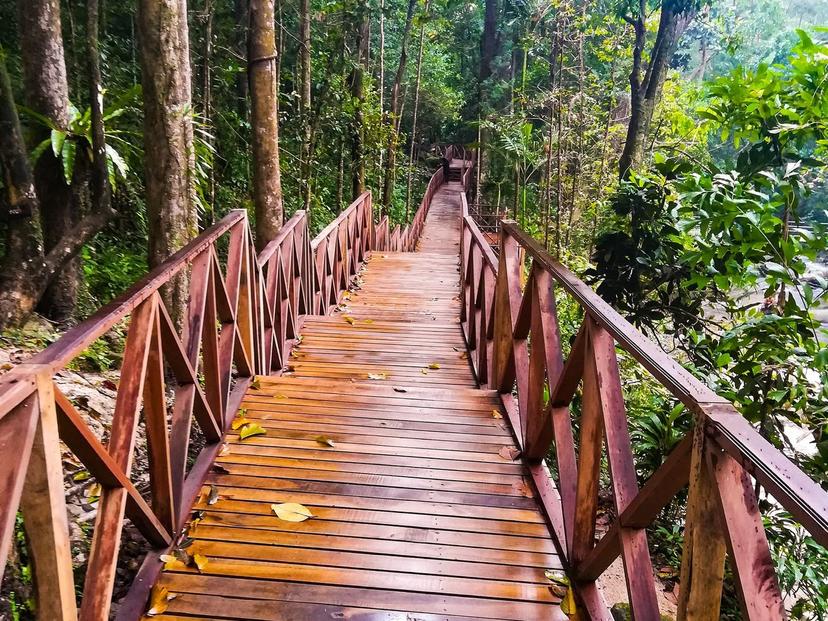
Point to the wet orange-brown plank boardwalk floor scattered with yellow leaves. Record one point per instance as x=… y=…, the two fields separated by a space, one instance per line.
x=418 y=511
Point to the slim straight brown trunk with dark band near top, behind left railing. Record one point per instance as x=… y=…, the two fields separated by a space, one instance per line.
x=261 y=67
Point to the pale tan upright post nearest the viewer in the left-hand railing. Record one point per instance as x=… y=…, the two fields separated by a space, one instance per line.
x=43 y=504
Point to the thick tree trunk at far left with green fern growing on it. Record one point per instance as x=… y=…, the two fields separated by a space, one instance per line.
x=47 y=93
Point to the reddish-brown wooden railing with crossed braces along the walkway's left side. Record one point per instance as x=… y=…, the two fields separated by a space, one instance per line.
x=242 y=317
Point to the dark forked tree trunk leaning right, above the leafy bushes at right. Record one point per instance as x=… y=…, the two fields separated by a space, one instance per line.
x=645 y=90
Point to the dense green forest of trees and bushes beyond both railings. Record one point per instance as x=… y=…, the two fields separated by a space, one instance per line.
x=673 y=153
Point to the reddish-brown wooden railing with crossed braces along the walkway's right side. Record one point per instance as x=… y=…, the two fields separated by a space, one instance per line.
x=509 y=318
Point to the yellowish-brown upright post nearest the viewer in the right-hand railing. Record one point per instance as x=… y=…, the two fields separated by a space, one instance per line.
x=703 y=557
